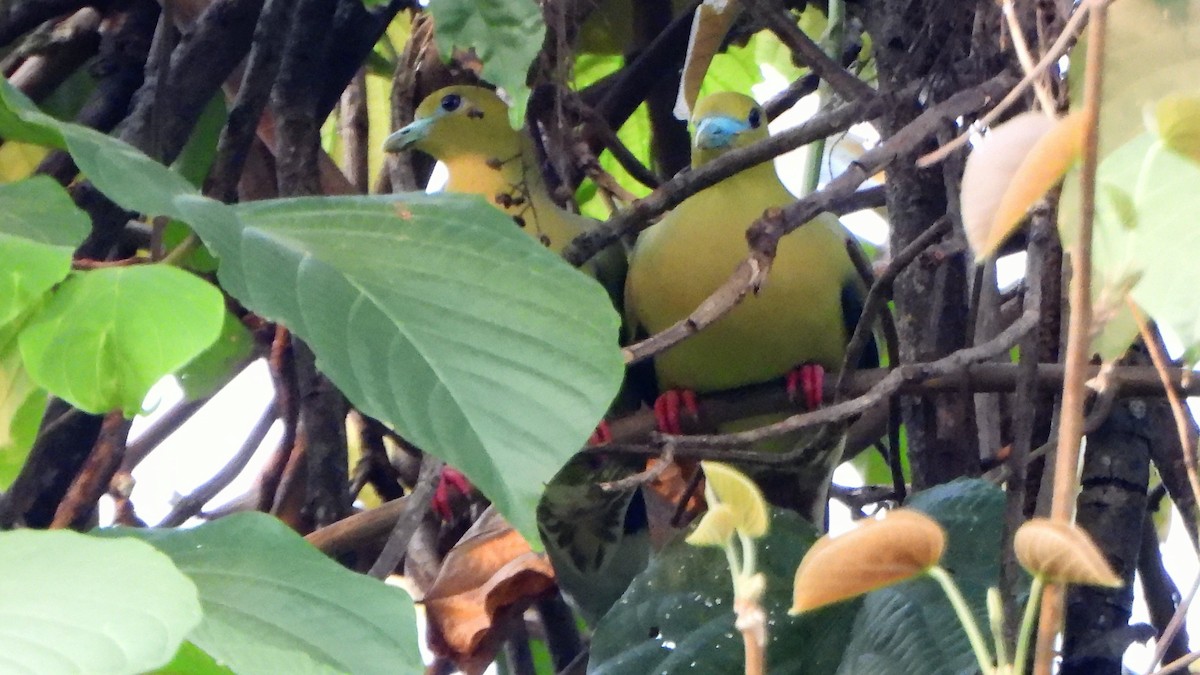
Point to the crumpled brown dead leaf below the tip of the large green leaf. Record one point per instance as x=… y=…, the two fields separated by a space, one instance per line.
x=490 y=577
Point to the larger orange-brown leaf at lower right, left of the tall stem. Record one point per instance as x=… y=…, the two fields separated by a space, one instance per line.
x=877 y=554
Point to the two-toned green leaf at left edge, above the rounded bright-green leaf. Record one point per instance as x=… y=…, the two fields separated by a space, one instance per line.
x=40 y=229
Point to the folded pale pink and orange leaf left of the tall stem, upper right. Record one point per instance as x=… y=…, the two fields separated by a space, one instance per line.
x=1011 y=170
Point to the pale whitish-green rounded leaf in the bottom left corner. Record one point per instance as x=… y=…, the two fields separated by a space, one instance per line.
x=71 y=604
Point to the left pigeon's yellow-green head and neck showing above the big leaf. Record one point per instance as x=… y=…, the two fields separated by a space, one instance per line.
x=467 y=129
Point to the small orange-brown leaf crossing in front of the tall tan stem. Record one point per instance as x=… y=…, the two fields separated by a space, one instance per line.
x=1063 y=553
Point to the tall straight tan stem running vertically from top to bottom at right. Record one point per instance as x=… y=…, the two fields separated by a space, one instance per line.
x=1071 y=425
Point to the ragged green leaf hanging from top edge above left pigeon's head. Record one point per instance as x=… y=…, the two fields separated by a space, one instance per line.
x=507 y=37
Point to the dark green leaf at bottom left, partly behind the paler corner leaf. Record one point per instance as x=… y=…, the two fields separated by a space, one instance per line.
x=275 y=605
